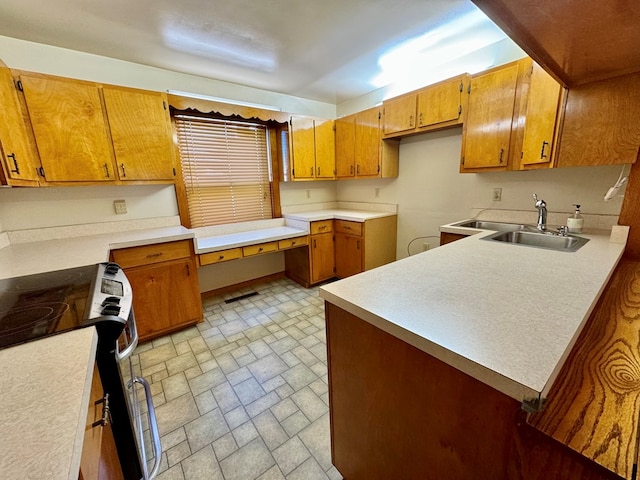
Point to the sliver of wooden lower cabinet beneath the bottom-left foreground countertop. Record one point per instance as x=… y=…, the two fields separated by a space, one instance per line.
x=99 y=460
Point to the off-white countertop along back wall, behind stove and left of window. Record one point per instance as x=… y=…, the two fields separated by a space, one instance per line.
x=48 y=255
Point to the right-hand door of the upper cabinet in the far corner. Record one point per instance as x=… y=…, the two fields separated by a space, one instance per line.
x=368 y=138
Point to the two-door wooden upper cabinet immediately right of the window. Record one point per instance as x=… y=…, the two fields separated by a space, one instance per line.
x=312 y=148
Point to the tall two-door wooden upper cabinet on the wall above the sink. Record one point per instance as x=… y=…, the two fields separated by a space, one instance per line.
x=511 y=119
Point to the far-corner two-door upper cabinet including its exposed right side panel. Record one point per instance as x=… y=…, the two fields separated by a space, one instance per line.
x=360 y=150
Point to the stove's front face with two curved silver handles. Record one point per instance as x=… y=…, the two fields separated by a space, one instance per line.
x=139 y=400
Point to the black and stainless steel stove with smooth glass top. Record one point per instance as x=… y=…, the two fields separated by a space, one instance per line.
x=50 y=303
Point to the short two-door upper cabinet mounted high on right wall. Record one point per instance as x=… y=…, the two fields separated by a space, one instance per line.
x=437 y=106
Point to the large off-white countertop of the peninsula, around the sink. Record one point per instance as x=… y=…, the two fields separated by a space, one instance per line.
x=507 y=315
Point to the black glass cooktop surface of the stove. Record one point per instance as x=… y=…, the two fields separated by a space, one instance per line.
x=35 y=306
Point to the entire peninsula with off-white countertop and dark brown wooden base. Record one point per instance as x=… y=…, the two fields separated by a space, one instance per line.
x=433 y=360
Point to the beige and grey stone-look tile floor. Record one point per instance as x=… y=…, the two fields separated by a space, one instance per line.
x=243 y=395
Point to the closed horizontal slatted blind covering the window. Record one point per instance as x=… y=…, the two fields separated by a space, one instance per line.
x=226 y=170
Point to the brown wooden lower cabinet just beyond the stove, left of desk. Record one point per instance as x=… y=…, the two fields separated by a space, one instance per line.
x=164 y=280
